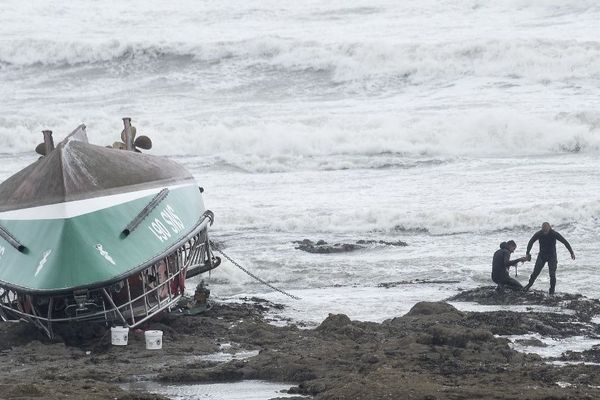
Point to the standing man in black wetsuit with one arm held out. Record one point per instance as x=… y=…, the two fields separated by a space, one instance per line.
x=547 y=238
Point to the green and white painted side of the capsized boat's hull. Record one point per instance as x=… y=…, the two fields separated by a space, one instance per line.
x=89 y=250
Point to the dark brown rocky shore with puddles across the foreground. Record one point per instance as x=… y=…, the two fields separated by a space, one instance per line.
x=433 y=352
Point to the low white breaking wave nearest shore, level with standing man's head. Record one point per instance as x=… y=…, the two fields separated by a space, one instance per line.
x=580 y=217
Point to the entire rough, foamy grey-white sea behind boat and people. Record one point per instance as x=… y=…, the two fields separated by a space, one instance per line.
x=452 y=126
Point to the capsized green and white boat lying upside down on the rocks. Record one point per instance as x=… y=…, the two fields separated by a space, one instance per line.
x=96 y=234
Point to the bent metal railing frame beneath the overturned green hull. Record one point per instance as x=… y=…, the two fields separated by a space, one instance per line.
x=128 y=301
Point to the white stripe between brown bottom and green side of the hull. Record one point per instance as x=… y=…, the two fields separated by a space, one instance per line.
x=76 y=208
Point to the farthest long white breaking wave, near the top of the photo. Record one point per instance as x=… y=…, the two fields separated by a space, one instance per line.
x=534 y=59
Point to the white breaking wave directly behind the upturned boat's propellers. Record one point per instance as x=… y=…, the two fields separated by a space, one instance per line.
x=345 y=143
